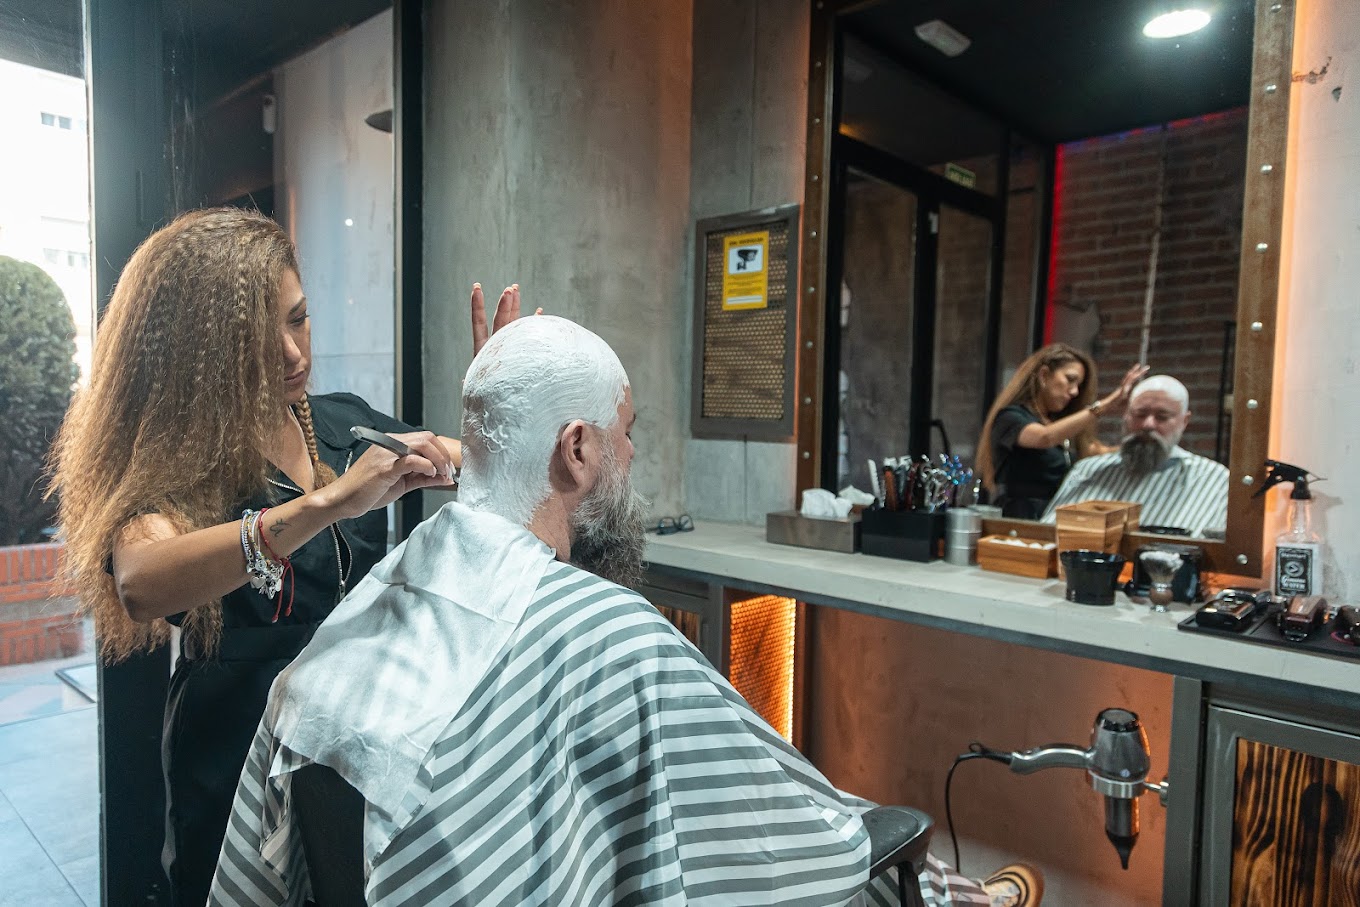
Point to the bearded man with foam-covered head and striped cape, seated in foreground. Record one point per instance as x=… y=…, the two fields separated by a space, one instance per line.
x=523 y=730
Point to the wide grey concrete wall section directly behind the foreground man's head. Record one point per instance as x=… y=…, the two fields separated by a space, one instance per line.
x=558 y=157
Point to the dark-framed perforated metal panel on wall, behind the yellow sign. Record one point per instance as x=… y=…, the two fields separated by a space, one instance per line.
x=743 y=384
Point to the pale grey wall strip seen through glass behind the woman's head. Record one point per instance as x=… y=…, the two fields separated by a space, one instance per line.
x=334 y=194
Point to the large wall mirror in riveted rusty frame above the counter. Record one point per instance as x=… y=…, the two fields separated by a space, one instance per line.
x=1061 y=179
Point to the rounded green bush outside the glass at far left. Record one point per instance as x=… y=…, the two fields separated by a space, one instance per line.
x=37 y=376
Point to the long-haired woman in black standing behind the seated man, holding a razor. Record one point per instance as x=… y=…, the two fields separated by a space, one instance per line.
x=203 y=487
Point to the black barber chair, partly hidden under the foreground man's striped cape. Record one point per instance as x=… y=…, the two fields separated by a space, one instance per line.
x=331 y=821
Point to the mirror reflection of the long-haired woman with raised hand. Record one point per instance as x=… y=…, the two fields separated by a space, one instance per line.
x=1042 y=424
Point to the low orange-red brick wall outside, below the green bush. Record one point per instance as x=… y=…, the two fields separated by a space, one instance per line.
x=37 y=614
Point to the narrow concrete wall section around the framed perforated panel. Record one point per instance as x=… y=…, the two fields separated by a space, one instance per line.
x=747 y=139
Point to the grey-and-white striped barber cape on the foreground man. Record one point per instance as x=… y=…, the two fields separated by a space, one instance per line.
x=600 y=762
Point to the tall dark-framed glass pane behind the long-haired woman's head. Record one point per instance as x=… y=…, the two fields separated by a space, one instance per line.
x=288 y=108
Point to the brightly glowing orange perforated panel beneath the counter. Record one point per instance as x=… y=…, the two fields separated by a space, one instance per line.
x=761 y=664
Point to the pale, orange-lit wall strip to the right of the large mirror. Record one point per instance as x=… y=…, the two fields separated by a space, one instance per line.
x=1319 y=342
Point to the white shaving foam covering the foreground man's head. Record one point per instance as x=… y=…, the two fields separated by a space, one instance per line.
x=532 y=379
